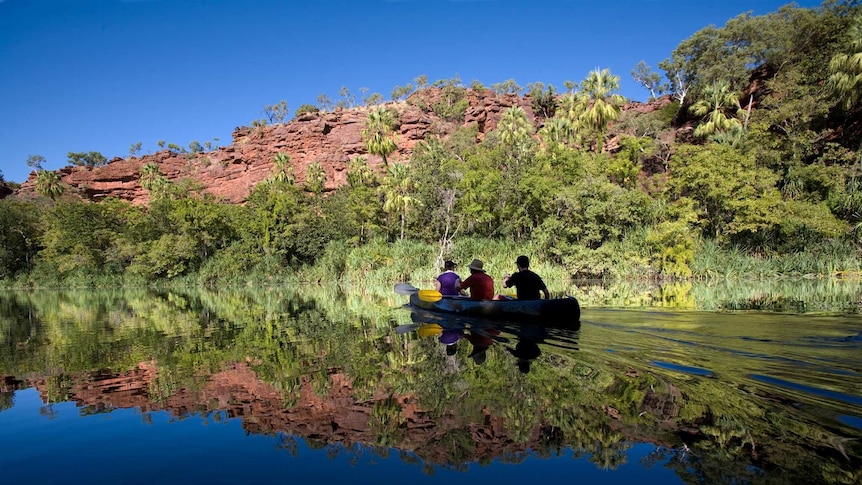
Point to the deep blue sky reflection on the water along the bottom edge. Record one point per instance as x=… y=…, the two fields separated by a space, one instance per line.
x=121 y=447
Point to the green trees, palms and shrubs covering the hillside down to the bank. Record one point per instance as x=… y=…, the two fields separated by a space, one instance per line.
x=750 y=170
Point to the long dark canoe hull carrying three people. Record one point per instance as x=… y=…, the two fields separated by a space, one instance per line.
x=557 y=311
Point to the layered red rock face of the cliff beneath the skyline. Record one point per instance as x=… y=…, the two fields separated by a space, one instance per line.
x=331 y=139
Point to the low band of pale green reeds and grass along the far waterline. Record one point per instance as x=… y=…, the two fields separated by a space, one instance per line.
x=369 y=272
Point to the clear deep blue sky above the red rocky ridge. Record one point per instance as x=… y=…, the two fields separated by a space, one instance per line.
x=100 y=75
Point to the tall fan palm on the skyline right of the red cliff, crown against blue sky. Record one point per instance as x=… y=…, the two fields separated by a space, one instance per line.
x=605 y=105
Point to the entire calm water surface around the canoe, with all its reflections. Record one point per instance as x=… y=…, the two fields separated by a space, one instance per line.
x=240 y=387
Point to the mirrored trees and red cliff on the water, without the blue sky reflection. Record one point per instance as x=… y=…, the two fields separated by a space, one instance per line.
x=720 y=397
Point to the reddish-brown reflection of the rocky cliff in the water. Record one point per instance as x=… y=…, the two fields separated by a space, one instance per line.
x=335 y=418
